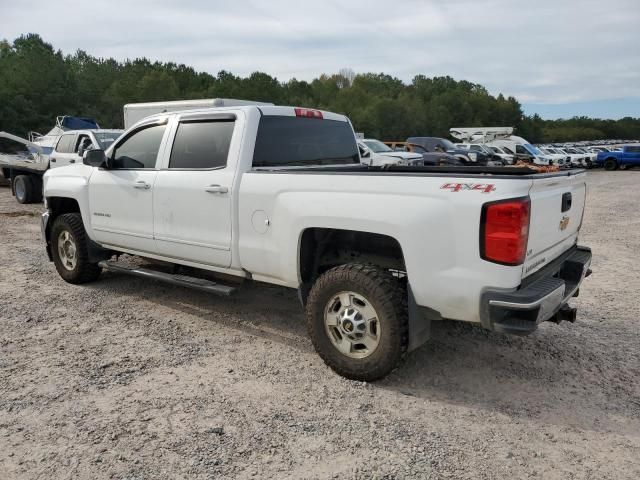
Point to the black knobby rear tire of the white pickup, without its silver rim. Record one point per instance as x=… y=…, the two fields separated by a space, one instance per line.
x=386 y=295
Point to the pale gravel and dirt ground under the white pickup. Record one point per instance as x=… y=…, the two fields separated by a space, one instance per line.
x=129 y=379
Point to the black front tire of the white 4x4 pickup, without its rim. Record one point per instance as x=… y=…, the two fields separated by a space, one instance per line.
x=82 y=271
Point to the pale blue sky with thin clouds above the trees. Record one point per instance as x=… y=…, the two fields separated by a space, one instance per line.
x=559 y=58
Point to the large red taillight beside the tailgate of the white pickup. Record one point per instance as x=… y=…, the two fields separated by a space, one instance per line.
x=504 y=231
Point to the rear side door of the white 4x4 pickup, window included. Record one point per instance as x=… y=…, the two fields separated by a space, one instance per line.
x=193 y=192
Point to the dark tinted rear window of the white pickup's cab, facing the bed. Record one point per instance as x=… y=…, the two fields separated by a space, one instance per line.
x=289 y=141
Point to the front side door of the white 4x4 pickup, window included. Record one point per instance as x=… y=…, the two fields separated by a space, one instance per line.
x=121 y=197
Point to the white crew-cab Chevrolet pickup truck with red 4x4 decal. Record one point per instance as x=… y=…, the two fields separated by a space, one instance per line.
x=278 y=195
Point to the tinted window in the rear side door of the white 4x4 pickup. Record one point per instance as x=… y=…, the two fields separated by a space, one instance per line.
x=201 y=144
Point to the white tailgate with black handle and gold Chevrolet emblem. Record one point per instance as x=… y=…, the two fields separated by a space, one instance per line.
x=557 y=204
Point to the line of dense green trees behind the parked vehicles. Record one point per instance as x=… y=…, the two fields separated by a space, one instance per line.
x=38 y=82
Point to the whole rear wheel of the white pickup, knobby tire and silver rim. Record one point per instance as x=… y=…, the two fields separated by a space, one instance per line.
x=357 y=321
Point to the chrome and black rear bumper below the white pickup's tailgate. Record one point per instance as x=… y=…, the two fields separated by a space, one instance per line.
x=540 y=298
